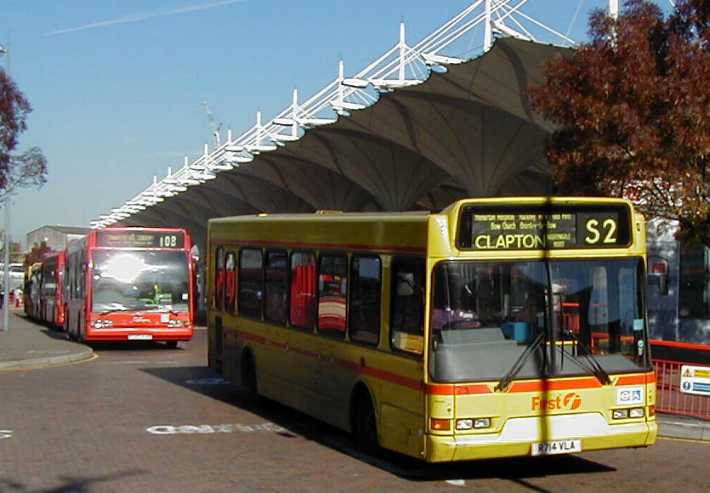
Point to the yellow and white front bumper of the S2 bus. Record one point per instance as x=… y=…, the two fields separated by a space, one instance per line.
x=516 y=441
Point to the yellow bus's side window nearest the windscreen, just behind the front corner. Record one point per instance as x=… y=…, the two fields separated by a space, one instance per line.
x=407 y=304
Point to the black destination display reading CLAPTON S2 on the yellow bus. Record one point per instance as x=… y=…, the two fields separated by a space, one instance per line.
x=544 y=227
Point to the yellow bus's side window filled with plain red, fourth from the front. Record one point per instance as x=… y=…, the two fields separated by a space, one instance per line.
x=303 y=290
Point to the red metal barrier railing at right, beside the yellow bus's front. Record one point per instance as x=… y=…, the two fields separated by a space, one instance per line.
x=669 y=397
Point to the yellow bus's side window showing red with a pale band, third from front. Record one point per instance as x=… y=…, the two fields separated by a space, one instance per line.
x=333 y=295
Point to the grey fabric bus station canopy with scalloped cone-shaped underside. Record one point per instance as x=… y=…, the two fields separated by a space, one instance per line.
x=468 y=131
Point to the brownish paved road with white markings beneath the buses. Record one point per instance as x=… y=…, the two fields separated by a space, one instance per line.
x=150 y=419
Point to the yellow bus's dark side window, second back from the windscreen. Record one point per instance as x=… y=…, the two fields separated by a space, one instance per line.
x=365 y=284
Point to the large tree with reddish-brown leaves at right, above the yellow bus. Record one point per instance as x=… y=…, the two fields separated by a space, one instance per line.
x=632 y=109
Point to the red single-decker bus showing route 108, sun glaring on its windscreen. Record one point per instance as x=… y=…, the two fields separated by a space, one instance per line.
x=125 y=284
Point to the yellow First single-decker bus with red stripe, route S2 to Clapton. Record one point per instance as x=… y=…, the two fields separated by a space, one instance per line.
x=498 y=327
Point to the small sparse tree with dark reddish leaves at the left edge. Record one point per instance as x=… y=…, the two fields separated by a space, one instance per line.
x=16 y=170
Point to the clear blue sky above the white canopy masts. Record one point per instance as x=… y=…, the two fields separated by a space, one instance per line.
x=117 y=87
